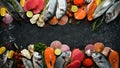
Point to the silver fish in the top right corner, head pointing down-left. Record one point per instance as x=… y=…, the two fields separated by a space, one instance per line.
x=112 y=12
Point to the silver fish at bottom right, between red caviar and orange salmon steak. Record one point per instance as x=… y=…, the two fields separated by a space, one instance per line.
x=100 y=60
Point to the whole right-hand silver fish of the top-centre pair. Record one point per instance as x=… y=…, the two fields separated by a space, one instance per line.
x=61 y=9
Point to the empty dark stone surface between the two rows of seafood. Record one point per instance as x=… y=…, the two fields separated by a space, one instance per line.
x=75 y=35
